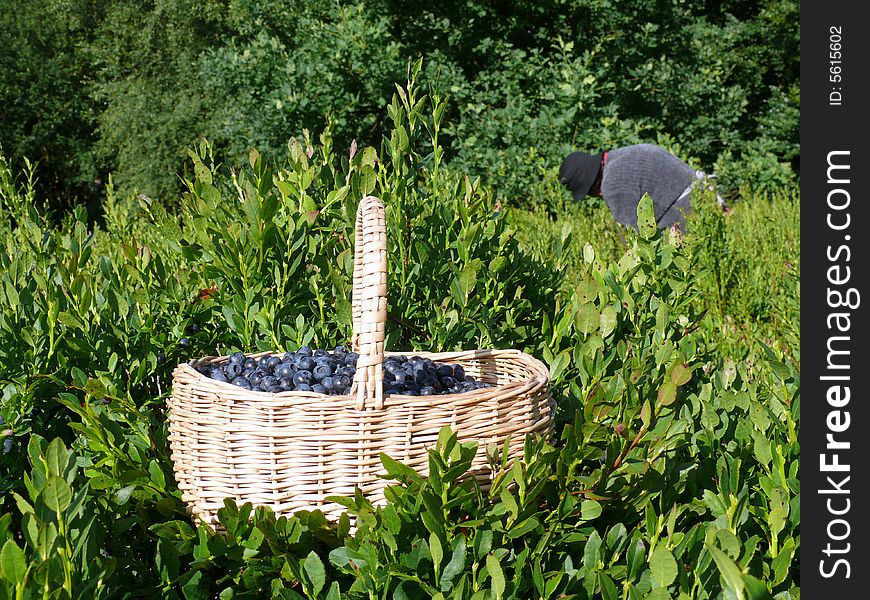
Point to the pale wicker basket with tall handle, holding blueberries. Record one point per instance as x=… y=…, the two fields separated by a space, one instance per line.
x=291 y=450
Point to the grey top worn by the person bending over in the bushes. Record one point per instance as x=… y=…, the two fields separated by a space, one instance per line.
x=631 y=171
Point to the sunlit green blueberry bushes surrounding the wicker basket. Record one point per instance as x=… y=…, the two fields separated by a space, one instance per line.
x=673 y=471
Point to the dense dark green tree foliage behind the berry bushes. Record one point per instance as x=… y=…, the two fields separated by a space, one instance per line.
x=92 y=87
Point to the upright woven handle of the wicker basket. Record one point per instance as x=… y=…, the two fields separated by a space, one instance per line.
x=369 y=302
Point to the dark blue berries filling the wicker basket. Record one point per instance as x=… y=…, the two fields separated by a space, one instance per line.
x=324 y=372
